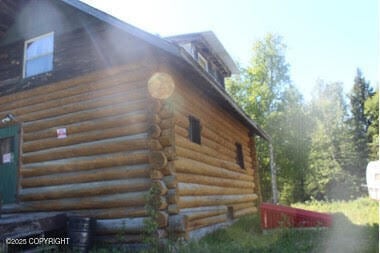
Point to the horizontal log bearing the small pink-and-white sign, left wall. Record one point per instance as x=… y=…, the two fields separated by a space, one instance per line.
x=124 y=119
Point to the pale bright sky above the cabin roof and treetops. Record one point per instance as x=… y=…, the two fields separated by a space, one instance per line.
x=326 y=39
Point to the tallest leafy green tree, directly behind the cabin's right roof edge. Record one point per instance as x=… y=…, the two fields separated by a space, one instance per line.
x=265 y=92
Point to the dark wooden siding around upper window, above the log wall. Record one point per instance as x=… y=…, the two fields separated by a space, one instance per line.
x=76 y=53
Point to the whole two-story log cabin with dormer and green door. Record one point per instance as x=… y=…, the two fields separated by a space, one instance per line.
x=95 y=111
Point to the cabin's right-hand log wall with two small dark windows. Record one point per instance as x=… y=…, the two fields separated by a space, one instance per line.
x=206 y=185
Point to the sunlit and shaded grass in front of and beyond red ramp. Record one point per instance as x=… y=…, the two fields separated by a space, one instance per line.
x=355 y=229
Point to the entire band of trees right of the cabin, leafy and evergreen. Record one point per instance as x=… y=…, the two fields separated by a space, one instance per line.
x=321 y=148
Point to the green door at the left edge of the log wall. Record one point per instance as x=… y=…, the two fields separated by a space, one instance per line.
x=9 y=154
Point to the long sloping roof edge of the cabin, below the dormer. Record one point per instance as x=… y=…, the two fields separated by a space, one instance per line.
x=8 y=9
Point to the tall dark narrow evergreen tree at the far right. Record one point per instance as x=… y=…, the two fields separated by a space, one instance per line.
x=359 y=124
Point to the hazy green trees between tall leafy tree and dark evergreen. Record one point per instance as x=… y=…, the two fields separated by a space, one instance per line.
x=330 y=158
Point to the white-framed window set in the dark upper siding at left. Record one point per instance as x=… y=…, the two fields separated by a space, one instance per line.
x=38 y=55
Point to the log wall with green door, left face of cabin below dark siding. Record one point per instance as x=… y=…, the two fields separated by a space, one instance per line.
x=106 y=165
